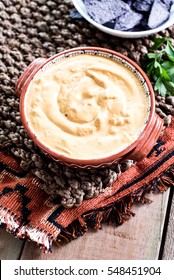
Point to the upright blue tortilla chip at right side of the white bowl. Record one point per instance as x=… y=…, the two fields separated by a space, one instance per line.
x=158 y=14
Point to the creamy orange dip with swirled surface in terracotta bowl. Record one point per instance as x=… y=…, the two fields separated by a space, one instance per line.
x=86 y=106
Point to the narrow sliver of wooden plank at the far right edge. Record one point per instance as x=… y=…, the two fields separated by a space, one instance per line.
x=168 y=253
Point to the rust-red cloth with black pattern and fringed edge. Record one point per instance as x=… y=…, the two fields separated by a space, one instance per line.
x=28 y=212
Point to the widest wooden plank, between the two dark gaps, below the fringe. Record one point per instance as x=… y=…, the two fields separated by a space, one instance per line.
x=139 y=238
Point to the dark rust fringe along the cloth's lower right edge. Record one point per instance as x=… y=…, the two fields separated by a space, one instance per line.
x=118 y=212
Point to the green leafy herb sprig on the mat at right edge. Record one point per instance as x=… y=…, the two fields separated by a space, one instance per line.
x=159 y=66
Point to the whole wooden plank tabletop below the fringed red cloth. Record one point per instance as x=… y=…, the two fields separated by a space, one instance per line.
x=148 y=235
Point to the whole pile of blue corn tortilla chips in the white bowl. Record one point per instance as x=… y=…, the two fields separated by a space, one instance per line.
x=129 y=15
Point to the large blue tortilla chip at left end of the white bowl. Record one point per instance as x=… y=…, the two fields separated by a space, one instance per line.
x=103 y=11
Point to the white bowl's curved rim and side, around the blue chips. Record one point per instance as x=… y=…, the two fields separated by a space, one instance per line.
x=80 y=7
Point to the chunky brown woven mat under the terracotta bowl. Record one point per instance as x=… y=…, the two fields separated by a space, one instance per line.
x=30 y=29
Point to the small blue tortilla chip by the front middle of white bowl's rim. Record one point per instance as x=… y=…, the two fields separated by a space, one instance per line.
x=128 y=21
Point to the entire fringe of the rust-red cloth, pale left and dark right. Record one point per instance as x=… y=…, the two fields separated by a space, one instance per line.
x=116 y=213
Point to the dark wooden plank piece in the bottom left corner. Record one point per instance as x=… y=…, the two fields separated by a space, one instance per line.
x=10 y=247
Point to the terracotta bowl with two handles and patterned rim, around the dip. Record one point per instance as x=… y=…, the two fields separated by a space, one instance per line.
x=136 y=151
